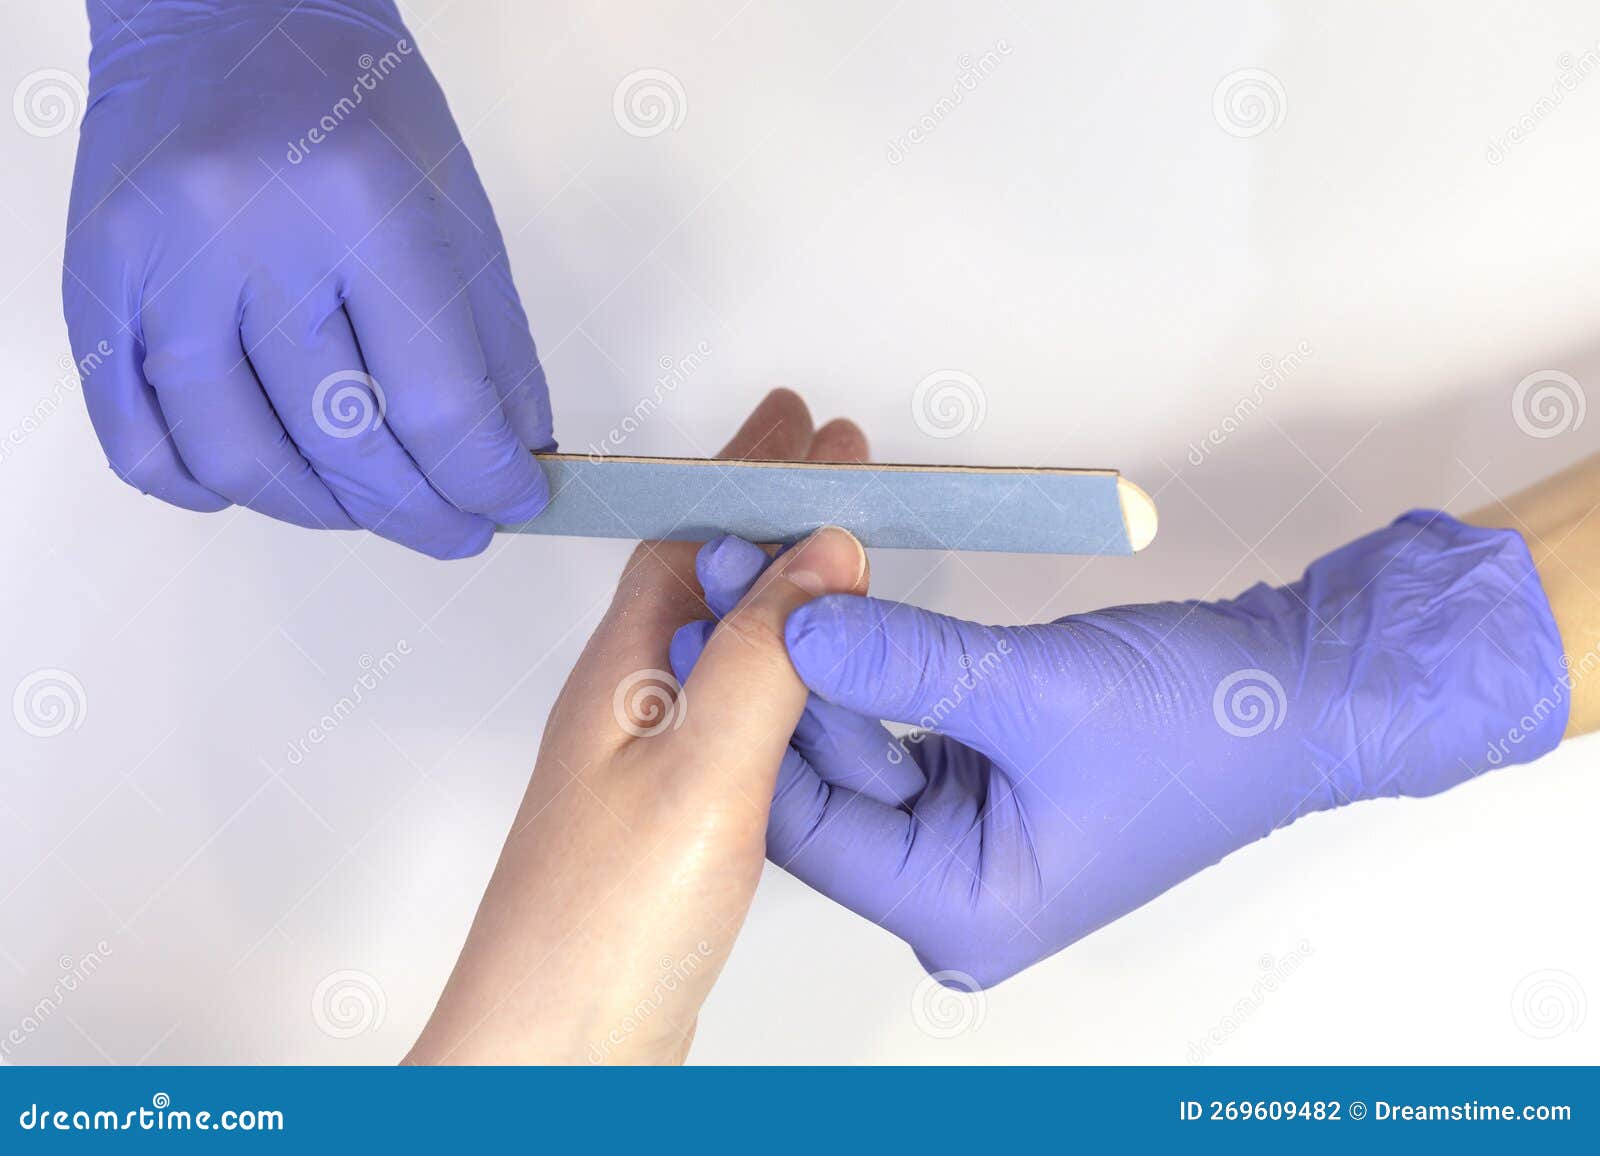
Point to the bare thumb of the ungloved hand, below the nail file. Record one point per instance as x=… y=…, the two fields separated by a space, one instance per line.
x=743 y=697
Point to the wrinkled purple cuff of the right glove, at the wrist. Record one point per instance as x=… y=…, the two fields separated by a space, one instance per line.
x=1450 y=654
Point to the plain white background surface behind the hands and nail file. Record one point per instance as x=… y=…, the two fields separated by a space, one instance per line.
x=1084 y=239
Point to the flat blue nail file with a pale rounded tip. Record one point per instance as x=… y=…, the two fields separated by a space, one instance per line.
x=961 y=508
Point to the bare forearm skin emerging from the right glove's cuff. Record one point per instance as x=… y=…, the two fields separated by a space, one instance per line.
x=1554 y=520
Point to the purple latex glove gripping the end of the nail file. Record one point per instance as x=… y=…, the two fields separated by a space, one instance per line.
x=287 y=281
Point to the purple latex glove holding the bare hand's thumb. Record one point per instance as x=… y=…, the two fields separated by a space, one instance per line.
x=1086 y=766
